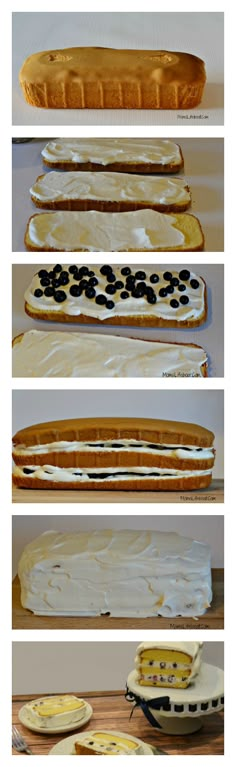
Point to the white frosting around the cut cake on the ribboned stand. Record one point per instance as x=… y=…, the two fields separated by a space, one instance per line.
x=193 y=649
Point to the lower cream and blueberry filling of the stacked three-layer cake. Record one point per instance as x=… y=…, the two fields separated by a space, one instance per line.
x=123 y=473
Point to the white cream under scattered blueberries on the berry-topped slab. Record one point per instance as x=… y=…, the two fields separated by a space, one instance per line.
x=130 y=307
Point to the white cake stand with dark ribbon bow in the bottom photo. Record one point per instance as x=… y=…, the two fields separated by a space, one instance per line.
x=184 y=712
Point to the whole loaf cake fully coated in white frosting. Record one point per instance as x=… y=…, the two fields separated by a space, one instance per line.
x=122 y=573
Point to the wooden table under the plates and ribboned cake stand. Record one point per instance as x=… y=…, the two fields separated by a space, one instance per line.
x=111 y=712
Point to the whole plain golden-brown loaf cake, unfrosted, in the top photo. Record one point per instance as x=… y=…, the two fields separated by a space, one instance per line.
x=108 y=78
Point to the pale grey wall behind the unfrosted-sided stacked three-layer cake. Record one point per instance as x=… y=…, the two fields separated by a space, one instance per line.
x=201 y=407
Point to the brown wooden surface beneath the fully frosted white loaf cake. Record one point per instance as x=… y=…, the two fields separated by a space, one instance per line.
x=213 y=619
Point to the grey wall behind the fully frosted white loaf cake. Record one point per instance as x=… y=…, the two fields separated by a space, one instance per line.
x=207 y=529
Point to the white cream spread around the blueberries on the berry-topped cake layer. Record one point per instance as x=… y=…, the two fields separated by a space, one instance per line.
x=162 y=306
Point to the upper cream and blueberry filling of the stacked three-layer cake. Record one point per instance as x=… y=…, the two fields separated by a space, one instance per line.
x=183 y=452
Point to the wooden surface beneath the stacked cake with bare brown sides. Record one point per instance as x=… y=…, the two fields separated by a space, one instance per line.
x=212 y=494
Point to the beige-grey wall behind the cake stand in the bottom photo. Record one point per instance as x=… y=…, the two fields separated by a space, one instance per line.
x=51 y=667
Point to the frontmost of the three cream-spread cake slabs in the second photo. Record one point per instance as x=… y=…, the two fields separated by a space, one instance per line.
x=141 y=230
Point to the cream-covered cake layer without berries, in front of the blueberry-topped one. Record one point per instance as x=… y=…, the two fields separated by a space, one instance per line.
x=53 y=354
